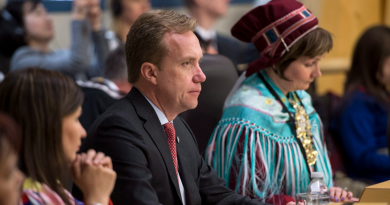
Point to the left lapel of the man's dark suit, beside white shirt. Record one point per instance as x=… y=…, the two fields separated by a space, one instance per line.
x=155 y=131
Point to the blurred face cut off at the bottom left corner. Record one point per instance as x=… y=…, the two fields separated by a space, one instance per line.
x=11 y=178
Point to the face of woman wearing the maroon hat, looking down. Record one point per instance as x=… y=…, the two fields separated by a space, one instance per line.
x=302 y=72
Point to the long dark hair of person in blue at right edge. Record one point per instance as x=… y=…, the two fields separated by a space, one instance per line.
x=370 y=52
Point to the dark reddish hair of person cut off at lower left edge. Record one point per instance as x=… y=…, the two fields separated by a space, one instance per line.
x=10 y=136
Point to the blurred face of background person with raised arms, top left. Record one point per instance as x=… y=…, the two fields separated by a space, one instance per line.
x=38 y=24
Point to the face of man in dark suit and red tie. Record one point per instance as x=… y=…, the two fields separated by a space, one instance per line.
x=179 y=78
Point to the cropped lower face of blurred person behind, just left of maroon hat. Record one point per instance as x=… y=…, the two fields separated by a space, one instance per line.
x=216 y=8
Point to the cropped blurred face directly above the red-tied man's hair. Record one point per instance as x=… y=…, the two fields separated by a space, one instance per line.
x=131 y=9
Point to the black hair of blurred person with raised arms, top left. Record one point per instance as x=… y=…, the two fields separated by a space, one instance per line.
x=12 y=32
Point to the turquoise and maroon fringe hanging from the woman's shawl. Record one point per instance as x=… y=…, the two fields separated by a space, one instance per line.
x=262 y=164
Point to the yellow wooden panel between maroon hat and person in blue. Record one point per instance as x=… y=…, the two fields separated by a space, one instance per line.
x=346 y=20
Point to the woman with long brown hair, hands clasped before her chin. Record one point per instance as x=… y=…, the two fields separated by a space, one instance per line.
x=47 y=104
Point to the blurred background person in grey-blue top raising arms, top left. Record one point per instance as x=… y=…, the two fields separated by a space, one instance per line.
x=34 y=30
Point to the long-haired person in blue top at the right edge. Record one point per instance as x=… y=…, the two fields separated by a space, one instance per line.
x=361 y=120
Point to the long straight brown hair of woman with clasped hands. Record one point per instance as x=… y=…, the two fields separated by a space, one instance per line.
x=38 y=100
